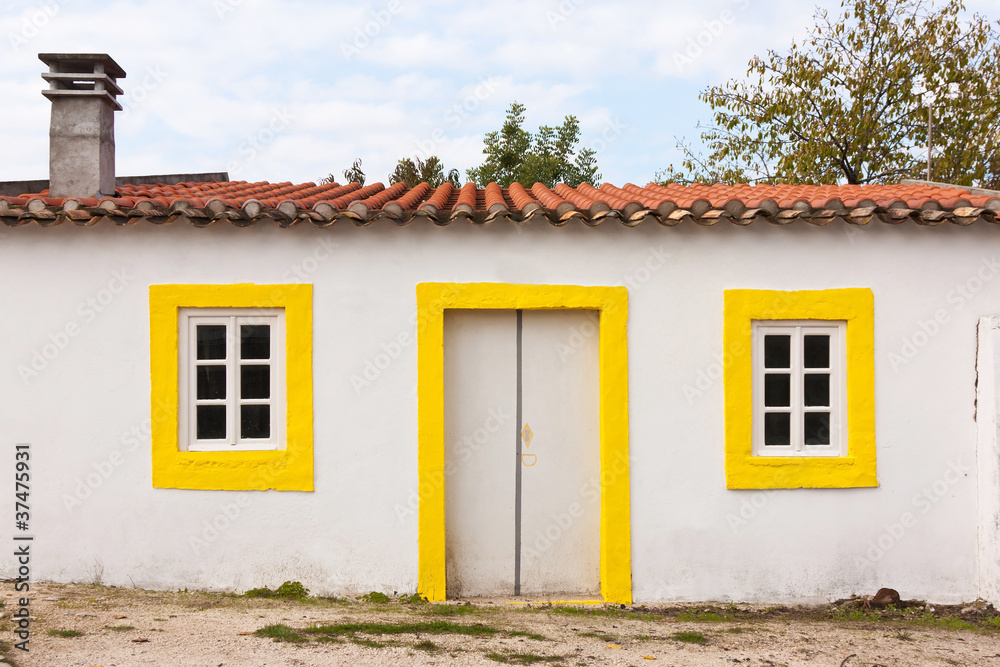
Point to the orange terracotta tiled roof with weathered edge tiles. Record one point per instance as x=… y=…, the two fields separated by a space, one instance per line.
x=242 y=203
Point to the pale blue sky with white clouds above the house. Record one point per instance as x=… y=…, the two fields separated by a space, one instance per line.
x=294 y=91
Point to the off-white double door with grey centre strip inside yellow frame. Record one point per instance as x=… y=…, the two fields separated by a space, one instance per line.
x=553 y=544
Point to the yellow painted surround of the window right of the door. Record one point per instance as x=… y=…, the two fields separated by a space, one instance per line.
x=857 y=468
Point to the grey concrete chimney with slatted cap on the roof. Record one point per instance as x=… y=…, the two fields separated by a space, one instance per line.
x=83 y=89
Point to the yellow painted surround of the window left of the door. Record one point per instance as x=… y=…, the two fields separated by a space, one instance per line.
x=288 y=469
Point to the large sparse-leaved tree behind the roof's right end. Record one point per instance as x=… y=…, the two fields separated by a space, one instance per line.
x=848 y=104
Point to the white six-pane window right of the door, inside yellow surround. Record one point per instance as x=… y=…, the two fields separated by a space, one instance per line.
x=799 y=388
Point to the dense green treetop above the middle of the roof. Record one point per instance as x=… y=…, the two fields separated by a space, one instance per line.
x=550 y=156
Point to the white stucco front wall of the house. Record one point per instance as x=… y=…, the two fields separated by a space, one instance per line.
x=86 y=412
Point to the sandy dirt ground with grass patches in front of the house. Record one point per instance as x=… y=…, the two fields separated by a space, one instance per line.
x=88 y=626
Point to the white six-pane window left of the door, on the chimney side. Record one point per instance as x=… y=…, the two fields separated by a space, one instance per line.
x=232 y=379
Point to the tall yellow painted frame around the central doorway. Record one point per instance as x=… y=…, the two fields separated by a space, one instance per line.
x=433 y=299
